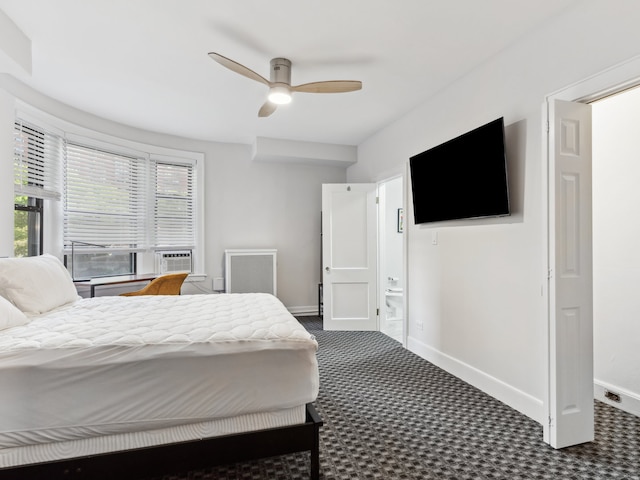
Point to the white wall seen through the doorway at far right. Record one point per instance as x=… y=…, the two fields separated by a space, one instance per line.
x=616 y=252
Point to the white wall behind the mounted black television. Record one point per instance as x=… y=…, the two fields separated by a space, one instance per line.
x=479 y=292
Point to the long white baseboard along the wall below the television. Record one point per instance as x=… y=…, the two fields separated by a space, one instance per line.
x=523 y=402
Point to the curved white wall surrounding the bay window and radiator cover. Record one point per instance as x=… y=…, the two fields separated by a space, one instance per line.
x=247 y=204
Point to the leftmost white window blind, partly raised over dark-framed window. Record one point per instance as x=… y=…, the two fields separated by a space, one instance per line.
x=37 y=160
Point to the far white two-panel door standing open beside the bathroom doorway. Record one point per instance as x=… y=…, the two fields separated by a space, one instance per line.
x=349 y=254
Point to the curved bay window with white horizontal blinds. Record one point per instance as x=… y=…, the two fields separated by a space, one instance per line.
x=119 y=204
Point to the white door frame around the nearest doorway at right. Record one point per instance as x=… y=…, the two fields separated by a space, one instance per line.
x=608 y=82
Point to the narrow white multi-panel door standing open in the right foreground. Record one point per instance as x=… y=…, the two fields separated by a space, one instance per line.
x=570 y=276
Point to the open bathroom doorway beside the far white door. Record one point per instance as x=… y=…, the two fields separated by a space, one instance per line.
x=391 y=266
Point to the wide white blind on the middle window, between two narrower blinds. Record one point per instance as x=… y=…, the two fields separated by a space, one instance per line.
x=105 y=198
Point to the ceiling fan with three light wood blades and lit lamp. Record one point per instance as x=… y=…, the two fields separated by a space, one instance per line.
x=280 y=88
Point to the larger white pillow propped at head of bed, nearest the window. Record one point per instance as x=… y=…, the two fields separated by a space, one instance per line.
x=36 y=284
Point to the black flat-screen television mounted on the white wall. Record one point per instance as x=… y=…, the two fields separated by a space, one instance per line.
x=465 y=177
